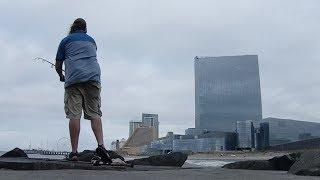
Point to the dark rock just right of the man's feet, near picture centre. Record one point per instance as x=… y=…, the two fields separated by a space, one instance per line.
x=171 y=159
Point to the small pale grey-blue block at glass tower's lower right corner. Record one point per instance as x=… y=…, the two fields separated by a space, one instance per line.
x=245 y=133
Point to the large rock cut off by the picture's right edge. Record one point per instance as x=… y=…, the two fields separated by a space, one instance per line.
x=307 y=164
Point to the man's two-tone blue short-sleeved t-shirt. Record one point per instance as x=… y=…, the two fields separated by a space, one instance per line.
x=79 y=53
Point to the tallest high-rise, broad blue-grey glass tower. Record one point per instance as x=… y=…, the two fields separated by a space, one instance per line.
x=227 y=90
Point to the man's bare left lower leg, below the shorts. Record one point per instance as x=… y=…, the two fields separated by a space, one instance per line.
x=74 y=130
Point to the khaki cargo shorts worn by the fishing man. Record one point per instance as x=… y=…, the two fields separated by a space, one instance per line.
x=83 y=96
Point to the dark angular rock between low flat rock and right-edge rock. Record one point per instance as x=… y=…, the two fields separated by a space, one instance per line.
x=283 y=163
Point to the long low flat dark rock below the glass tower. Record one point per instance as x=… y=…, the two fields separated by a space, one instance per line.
x=251 y=165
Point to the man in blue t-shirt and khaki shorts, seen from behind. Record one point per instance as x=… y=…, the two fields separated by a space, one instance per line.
x=82 y=85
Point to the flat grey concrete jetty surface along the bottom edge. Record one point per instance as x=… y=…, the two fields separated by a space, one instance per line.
x=155 y=174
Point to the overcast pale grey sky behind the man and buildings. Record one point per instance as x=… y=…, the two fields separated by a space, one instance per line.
x=146 y=50
